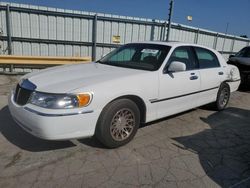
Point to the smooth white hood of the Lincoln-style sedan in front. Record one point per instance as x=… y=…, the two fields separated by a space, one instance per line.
x=64 y=79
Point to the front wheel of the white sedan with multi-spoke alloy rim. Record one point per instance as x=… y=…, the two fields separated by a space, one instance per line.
x=118 y=123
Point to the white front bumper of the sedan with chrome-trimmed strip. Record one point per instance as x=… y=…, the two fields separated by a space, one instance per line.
x=54 y=124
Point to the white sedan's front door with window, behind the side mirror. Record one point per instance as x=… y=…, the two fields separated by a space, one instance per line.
x=177 y=90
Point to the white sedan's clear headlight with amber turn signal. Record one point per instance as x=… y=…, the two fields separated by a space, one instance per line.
x=60 y=101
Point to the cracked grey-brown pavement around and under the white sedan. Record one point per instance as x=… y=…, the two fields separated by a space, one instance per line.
x=198 y=148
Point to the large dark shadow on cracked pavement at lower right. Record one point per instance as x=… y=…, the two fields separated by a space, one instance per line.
x=224 y=149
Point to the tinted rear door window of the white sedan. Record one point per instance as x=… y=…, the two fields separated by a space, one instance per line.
x=206 y=58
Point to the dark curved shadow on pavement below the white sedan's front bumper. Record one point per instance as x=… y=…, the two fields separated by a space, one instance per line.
x=17 y=136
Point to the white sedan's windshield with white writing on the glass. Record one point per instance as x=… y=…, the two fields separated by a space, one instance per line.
x=137 y=56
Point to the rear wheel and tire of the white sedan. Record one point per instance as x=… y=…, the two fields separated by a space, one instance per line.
x=223 y=97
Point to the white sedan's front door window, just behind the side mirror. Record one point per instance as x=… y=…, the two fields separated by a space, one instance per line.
x=184 y=55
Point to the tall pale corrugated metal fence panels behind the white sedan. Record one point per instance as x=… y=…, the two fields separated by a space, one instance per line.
x=38 y=30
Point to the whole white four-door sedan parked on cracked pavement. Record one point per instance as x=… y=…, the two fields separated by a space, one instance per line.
x=136 y=83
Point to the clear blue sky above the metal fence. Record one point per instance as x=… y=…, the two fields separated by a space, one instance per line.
x=208 y=14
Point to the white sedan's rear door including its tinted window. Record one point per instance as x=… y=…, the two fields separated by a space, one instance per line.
x=211 y=75
